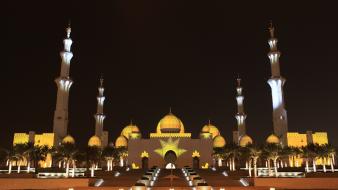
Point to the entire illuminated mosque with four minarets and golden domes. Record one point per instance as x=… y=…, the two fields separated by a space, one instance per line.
x=170 y=145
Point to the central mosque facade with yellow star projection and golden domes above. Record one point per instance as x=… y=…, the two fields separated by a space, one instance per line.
x=170 y=144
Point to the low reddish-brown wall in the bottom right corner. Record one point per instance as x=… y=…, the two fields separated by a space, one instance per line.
x=297 y=183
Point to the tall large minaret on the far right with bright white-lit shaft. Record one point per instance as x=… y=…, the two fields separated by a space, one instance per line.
x=276 y=83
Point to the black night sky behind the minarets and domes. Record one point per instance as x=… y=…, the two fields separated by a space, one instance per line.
x=159 y=54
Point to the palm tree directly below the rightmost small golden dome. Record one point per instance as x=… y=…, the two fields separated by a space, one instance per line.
x=272 y=152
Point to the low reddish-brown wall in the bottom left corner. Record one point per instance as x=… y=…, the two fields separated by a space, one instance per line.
x=19 y=183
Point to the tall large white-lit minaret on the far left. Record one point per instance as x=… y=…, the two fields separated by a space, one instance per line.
x=64 y=83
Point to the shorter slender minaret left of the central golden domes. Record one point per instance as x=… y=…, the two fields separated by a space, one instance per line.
x=99 y=116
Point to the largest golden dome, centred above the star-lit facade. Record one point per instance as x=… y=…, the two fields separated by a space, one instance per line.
x=170 y=124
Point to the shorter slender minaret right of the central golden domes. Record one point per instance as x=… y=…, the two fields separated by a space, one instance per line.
x=240 y=116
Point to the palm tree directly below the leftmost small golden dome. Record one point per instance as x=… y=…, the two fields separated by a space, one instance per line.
x=67 y=153
